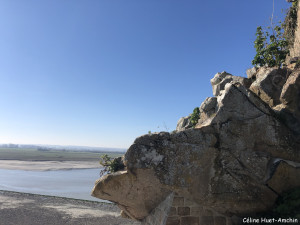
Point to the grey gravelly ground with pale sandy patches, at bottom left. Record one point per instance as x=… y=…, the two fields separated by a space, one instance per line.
x=29 y=209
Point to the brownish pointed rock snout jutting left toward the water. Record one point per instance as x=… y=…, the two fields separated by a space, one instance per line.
x=136 y=194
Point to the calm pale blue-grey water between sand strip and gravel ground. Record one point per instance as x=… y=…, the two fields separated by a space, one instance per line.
x=76 y=183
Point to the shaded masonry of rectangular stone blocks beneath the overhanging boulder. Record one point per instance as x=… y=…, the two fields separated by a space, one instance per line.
x=186 y=212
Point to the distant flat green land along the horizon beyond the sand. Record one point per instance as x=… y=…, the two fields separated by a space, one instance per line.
x=35 y=154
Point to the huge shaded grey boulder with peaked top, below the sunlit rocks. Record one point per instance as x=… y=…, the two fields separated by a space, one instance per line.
x=224 y=165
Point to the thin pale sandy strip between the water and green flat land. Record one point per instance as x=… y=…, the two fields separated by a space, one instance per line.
x=47 y=165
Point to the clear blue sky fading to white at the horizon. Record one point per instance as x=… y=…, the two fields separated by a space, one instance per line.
x=103 y=72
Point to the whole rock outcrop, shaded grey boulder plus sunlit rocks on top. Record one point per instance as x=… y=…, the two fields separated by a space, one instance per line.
x=236 y=161
